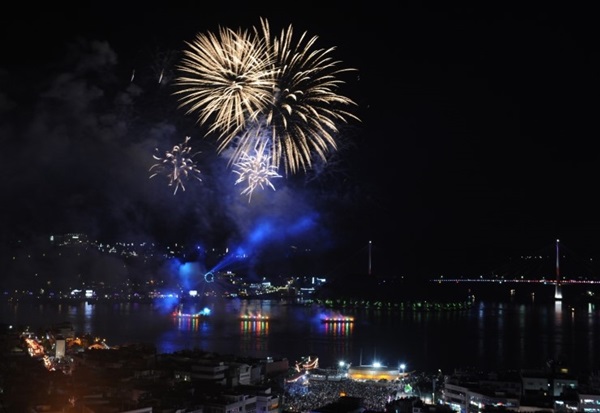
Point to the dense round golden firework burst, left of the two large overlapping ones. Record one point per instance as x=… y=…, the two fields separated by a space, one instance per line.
x=225 y=78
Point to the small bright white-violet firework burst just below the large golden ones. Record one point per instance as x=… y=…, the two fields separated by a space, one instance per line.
x=255 y=169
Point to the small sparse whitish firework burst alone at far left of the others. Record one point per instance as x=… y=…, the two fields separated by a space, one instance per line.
x=177 y=164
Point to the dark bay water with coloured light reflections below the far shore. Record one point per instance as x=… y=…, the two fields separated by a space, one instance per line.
x=489 y=336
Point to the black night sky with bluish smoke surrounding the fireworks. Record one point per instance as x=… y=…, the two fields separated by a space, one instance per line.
x=477 y=140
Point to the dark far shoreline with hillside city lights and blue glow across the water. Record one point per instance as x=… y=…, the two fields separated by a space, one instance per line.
x=65 y=262
